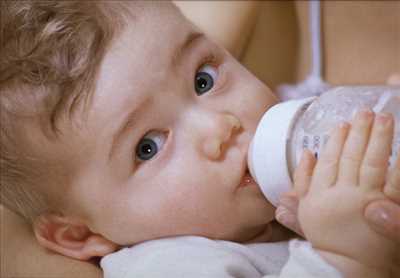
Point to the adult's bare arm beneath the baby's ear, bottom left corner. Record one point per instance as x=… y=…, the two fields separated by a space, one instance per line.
x=22 y=256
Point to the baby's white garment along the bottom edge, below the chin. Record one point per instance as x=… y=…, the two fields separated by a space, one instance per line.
x=195 y=257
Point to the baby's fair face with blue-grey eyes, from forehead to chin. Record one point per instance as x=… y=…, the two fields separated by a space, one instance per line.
x=166 y=138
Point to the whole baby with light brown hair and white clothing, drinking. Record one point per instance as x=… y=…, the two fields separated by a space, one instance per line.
x=146 y=124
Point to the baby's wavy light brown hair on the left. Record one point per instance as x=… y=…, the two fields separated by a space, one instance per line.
x=50 y=52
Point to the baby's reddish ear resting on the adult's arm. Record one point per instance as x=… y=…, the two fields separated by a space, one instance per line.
x=70 y=238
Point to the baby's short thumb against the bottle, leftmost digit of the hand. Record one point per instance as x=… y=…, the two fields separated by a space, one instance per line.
x=303 y=173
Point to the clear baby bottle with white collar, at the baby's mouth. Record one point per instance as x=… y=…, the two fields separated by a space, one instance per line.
x=289 y=127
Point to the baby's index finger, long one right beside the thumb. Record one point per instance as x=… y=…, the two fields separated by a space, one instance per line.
x=326 y=170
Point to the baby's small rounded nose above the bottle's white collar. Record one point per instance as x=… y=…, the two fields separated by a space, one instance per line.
x=225 y=126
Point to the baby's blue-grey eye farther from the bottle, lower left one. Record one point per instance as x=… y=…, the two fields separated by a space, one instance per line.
x=150 y=144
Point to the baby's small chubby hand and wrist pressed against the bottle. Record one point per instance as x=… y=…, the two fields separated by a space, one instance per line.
x=350 y=173
